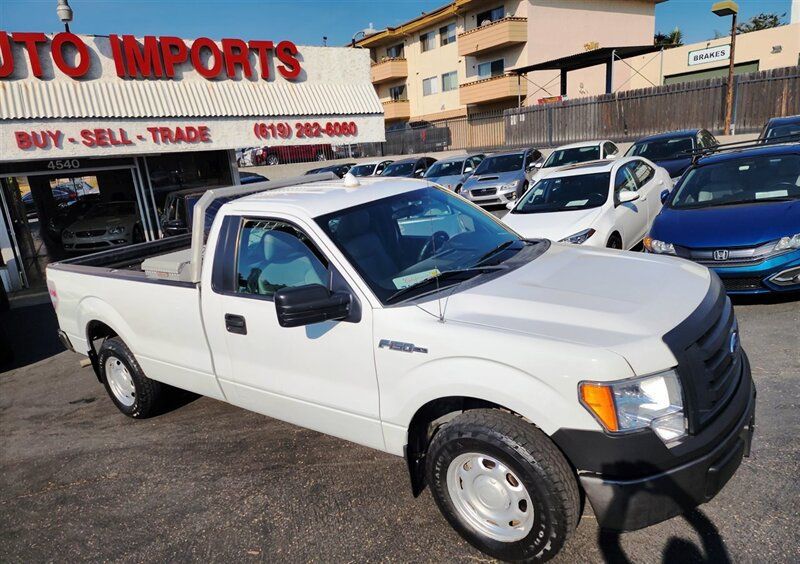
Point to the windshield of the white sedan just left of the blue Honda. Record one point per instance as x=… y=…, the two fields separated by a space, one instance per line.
x=566 y=193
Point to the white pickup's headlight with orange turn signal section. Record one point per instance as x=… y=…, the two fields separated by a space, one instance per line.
x=654 y=402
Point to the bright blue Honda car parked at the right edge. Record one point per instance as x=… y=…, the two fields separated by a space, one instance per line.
x=737 y=212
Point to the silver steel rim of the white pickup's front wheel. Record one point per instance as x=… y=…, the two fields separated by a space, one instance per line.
x=490 y=497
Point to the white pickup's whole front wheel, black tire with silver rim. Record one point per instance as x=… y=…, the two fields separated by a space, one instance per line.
x=503 y=485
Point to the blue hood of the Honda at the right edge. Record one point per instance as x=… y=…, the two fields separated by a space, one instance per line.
x=745 y=225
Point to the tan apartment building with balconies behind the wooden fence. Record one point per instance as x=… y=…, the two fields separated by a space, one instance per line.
x=455 y=60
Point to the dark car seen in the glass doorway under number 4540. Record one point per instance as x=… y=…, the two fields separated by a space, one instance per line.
x=106 y=225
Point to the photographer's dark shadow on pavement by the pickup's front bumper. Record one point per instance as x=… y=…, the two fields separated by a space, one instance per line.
x=712 y=547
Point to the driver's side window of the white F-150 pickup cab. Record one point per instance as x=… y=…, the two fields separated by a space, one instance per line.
x=272 y=255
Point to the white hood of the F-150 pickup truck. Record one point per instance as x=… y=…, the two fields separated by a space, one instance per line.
x=616 y=300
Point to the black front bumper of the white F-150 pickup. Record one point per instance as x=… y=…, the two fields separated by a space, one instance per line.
x=634 y=481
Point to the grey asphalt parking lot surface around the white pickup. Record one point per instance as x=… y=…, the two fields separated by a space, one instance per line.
x=79 y=481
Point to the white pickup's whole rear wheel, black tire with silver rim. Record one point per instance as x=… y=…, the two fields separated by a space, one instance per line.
x=133 y=393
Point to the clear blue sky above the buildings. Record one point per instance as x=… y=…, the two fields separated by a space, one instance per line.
x=303 y=21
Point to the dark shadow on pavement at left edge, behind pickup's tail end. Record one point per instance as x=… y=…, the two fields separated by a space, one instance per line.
x=28 y=335
